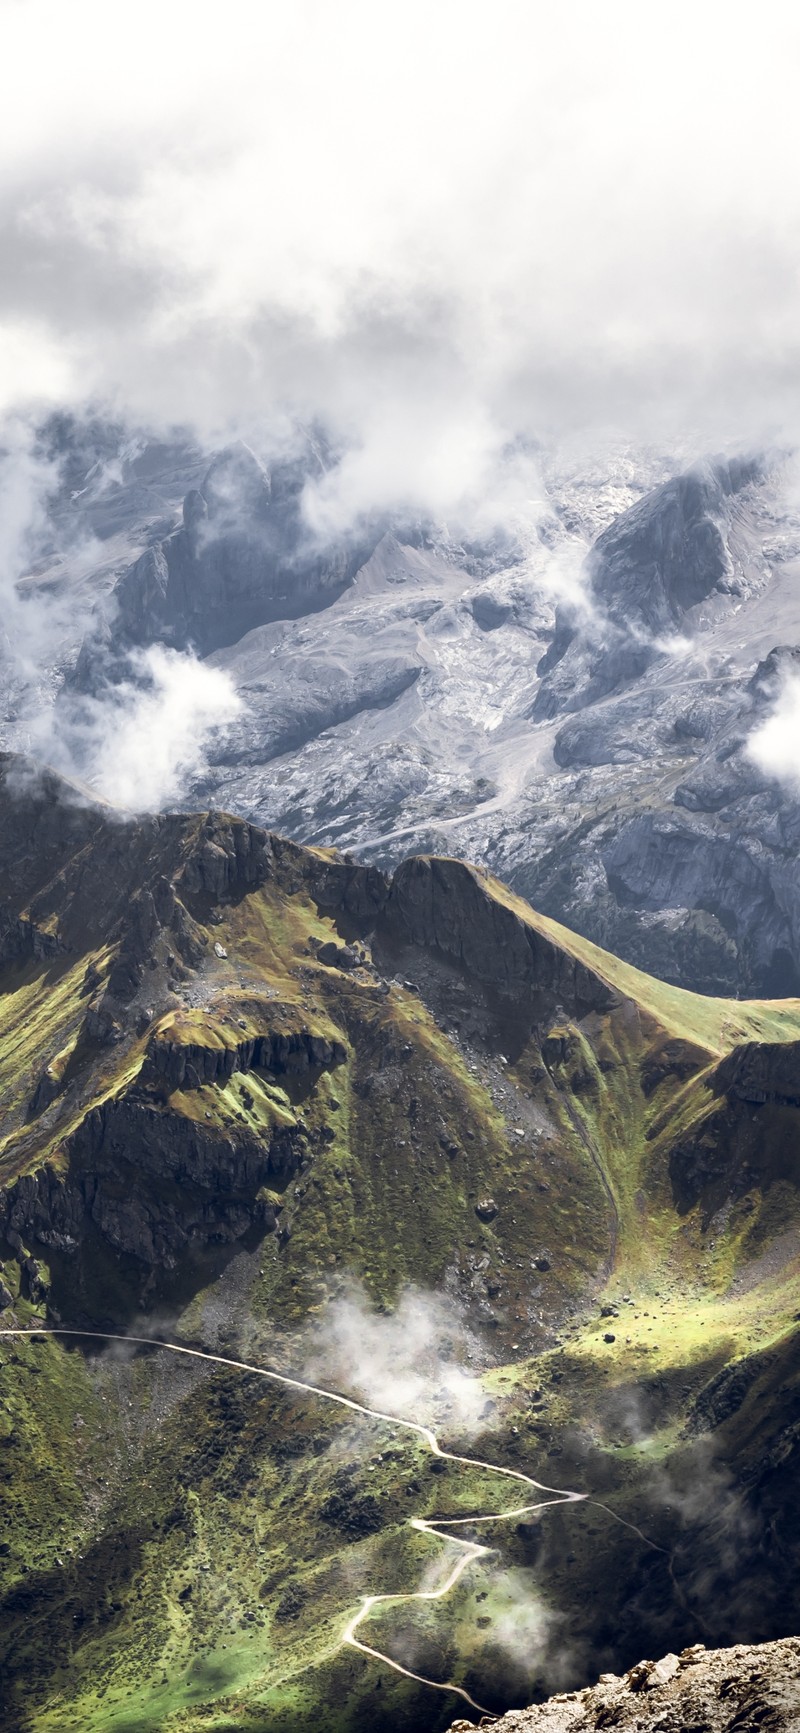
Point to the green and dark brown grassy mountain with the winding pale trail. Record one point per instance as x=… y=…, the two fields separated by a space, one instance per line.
x=240 y=1075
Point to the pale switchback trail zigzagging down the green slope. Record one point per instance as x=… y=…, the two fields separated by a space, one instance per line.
x=468 y=1550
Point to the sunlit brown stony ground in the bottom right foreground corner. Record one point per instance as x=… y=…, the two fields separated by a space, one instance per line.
x=697 y=1692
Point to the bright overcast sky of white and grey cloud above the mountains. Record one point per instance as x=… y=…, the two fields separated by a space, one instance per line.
x=430 y=224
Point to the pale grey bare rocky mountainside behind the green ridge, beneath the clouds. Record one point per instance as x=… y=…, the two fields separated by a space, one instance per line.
x=567 y=699
